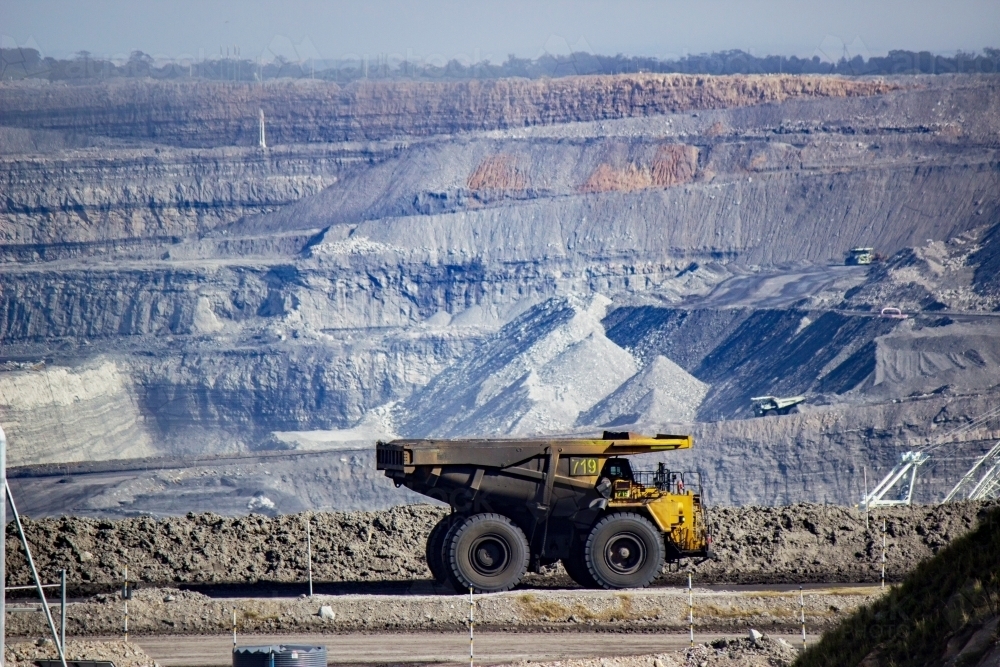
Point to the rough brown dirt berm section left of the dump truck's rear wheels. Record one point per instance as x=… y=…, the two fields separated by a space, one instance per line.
x=207 y=548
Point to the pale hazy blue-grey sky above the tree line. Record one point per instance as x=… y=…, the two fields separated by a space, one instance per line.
x=438 y=30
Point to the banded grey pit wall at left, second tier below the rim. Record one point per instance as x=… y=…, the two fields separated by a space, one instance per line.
x=106 y=194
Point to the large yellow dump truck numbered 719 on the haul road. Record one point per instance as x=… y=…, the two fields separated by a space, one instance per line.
x=530 y=503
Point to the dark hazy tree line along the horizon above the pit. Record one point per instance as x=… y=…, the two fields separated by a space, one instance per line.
x=28 y=63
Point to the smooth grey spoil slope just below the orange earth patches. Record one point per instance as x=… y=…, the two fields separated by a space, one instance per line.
x=765 y=220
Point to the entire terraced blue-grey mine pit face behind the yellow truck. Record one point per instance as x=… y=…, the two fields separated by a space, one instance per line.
x=440 y=269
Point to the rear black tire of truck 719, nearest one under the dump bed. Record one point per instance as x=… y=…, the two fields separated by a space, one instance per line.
x=487 y=553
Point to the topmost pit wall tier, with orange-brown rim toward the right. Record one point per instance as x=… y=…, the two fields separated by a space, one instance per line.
x=206 y=113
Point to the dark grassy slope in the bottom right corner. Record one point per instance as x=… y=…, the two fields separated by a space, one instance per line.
x=948 y=596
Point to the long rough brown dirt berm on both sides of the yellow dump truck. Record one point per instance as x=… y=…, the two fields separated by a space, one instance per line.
x=797 y=543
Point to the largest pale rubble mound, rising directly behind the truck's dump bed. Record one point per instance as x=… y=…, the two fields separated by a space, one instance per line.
x=536 y=375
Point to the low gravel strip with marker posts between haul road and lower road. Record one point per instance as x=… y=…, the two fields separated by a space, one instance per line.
x=172 y=611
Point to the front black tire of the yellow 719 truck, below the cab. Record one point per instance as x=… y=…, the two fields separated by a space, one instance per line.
x=624 y=550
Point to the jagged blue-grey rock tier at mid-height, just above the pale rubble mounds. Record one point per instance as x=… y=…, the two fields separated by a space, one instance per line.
x=344 y=285
